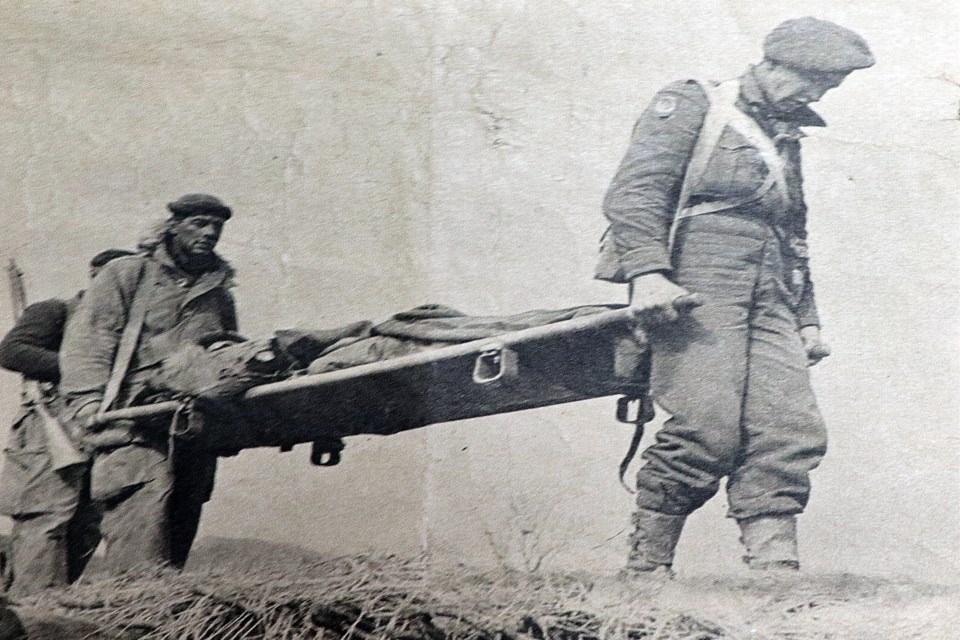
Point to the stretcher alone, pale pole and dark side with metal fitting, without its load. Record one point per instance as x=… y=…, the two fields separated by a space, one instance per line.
x=568 y=361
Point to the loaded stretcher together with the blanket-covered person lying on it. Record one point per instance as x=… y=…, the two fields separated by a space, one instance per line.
x=424 y=366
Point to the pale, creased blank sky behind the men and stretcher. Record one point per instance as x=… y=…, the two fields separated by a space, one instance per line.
x=380 y=155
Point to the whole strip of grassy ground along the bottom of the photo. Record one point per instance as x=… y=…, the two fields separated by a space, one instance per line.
x=284 y=595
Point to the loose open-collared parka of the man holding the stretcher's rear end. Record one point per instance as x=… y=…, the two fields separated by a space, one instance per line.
x=182 y=309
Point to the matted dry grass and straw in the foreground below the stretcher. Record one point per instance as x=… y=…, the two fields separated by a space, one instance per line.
x=362 y=599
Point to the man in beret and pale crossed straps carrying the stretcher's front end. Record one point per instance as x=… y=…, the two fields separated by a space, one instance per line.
x=708 y=199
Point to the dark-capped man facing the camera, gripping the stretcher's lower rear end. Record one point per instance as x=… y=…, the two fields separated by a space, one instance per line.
x=139 y=310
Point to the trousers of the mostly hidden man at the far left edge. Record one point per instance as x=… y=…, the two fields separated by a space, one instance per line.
x=56 y=527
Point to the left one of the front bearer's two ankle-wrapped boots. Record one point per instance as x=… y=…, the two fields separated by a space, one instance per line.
x=652 y=544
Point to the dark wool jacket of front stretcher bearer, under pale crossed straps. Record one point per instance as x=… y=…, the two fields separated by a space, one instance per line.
x=642 y=199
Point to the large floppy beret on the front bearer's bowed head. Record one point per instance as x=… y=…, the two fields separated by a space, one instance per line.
x=809 y=44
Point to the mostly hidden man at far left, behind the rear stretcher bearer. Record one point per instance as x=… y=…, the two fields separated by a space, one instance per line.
x=55 y=526
